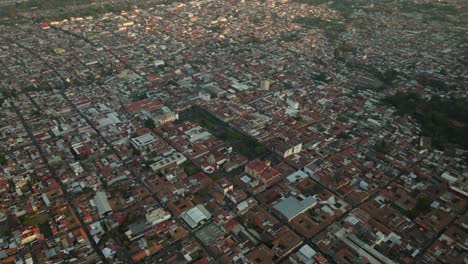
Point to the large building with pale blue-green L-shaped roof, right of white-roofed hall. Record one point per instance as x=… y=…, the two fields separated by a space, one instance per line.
x=291 y=206
